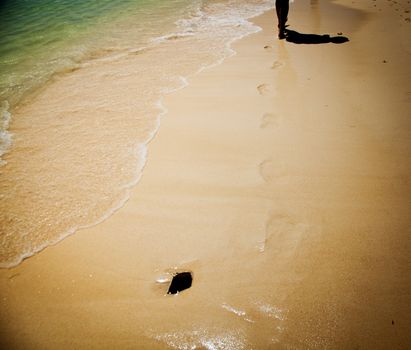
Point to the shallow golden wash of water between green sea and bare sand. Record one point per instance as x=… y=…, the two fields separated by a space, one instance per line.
x=86 y=134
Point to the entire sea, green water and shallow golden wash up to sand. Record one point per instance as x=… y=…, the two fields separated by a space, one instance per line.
x=81 y=85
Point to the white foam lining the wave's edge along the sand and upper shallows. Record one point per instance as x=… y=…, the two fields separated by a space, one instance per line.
x=229 y=17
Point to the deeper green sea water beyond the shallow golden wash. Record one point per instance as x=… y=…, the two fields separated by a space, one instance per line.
x=39 y=38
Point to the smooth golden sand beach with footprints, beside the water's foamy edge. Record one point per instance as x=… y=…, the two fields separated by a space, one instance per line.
x=280 y=178
